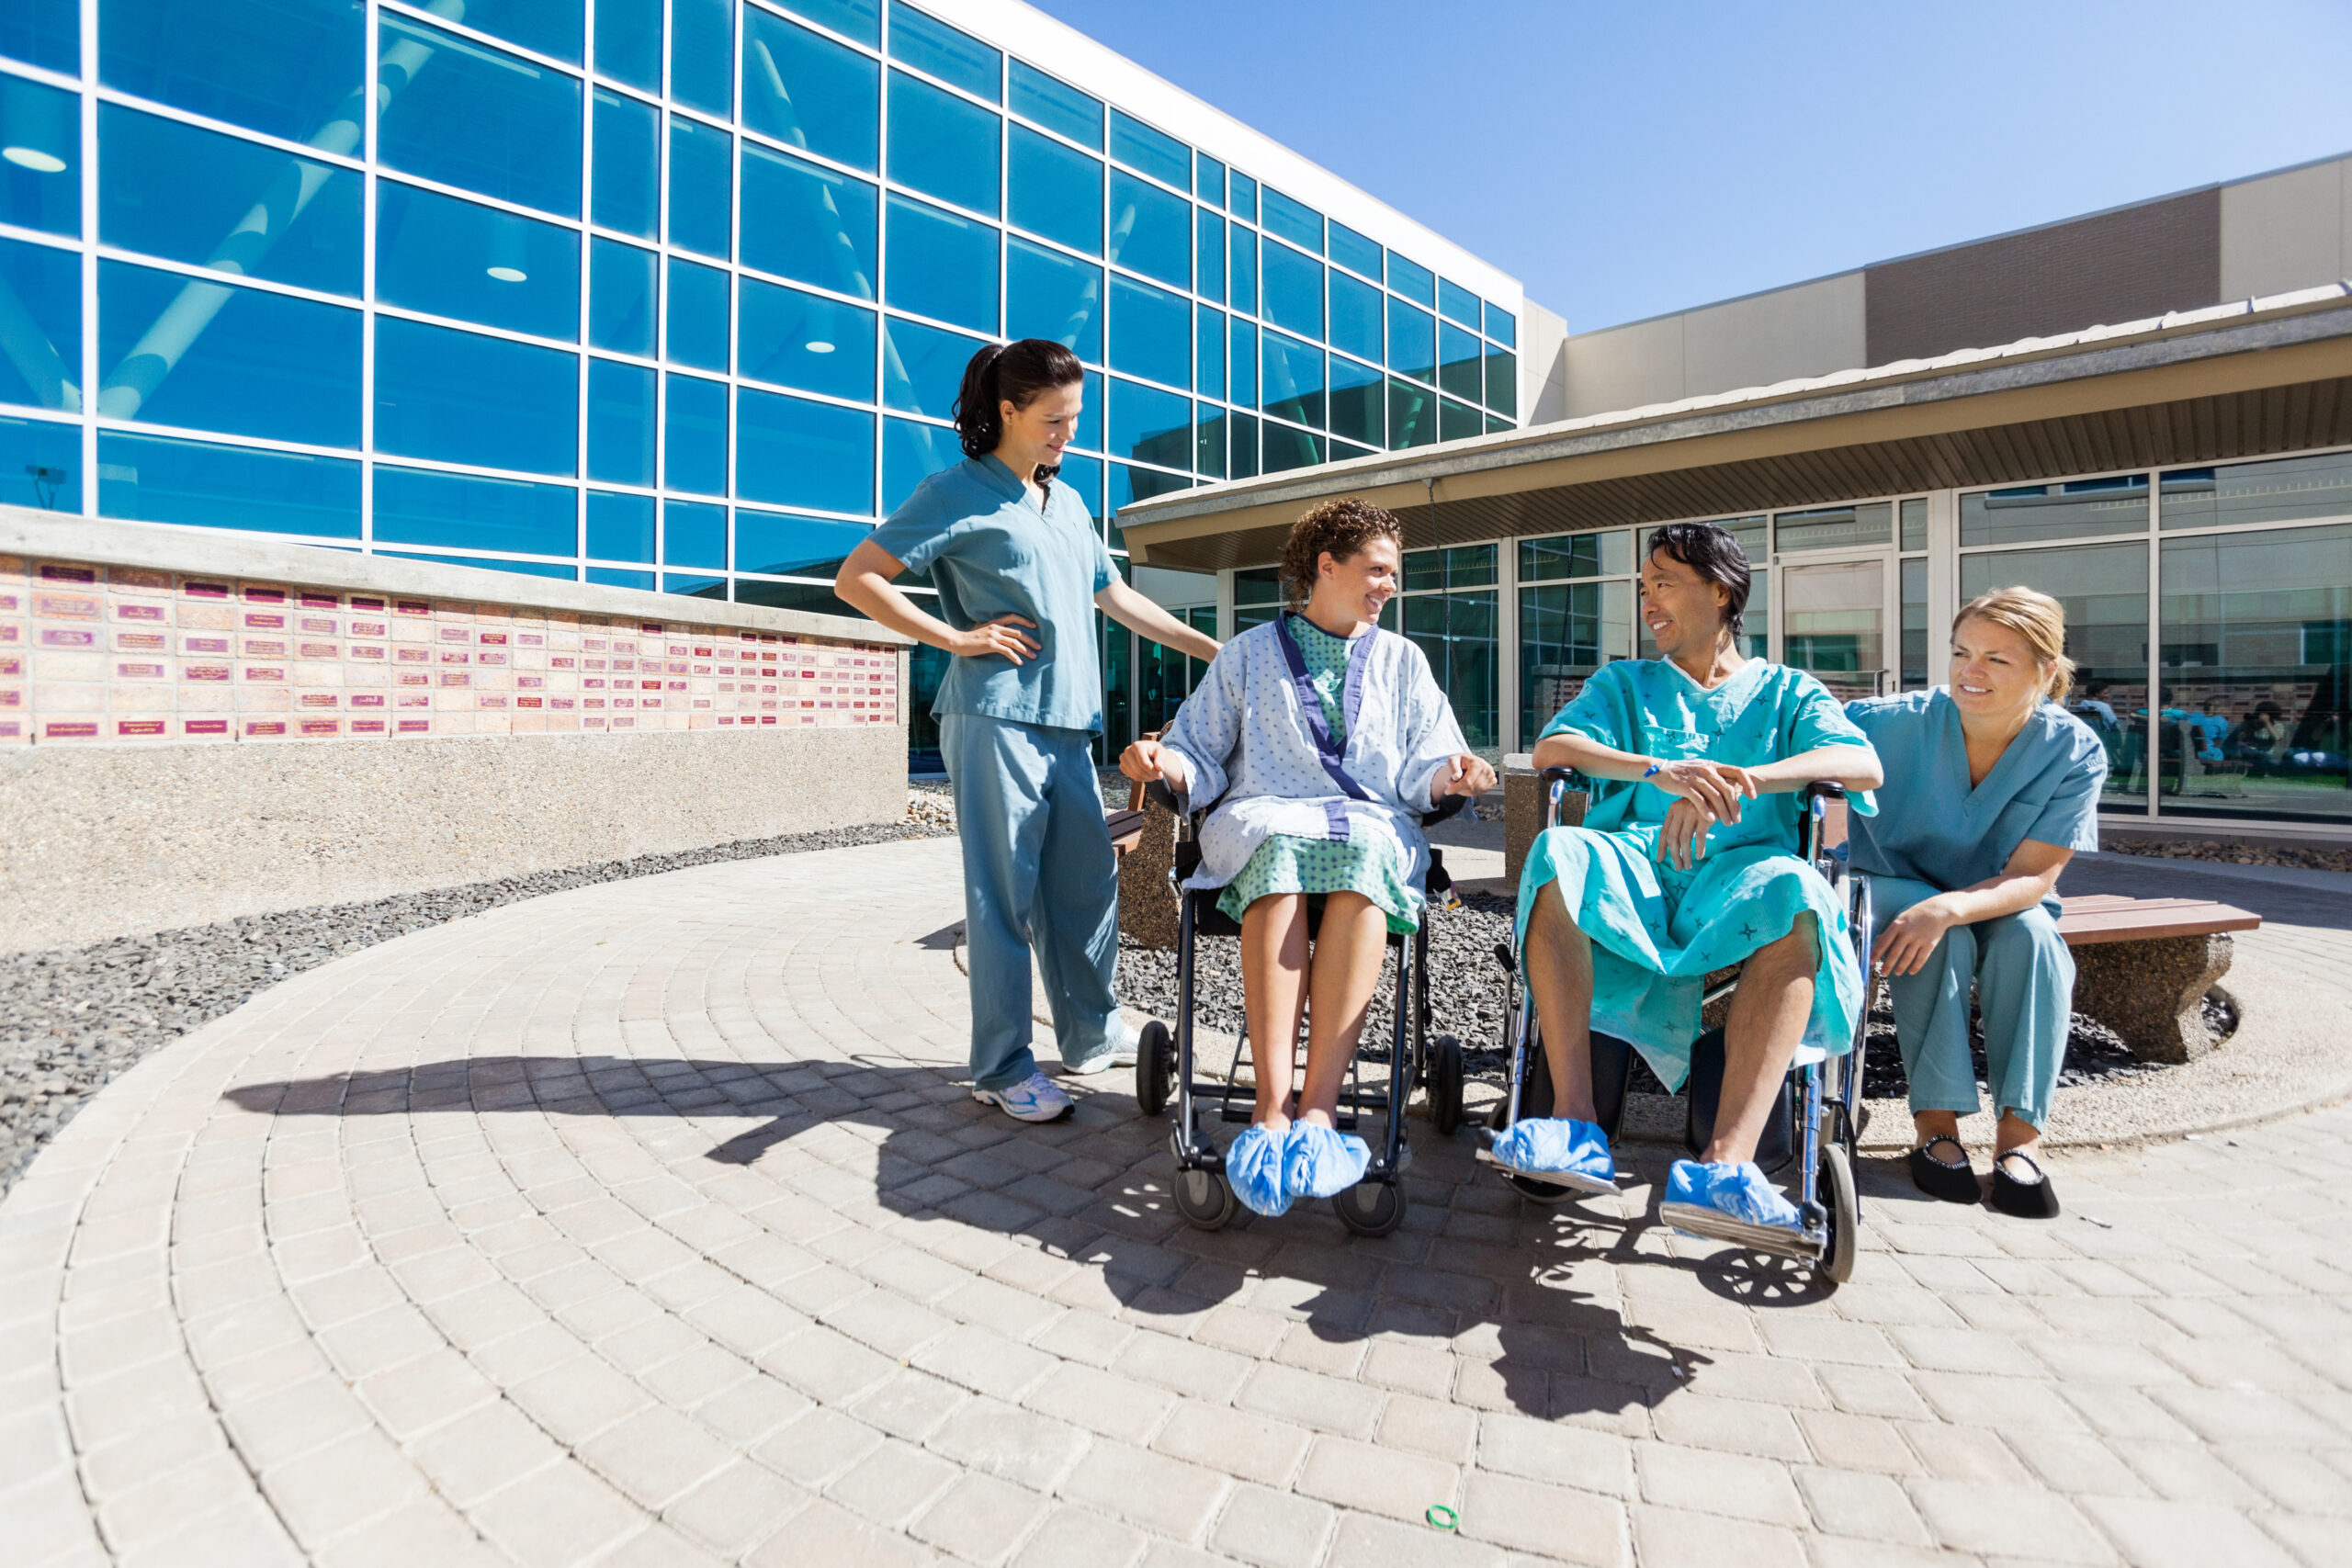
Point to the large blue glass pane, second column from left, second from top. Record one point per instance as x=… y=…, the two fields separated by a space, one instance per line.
x=175 y=192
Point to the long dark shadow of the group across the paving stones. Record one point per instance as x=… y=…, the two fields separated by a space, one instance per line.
x=890 y=1144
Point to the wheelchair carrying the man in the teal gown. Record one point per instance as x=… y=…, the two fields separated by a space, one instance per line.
x=1817 y=1115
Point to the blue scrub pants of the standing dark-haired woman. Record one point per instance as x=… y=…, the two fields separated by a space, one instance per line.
x=1038 y=866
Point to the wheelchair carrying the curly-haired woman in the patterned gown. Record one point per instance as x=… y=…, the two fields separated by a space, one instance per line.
x=1165 y=1066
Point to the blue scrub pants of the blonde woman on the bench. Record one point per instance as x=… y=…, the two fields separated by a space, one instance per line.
x=2024 y=989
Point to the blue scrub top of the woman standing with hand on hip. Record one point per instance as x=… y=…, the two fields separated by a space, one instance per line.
x=991 y=554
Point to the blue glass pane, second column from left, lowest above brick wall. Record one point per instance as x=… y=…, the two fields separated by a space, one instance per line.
x=152 y=478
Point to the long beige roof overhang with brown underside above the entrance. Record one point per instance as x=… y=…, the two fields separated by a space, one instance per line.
x=2184 y=389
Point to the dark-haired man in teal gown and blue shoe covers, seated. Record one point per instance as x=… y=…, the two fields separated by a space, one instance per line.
x=1688 y=866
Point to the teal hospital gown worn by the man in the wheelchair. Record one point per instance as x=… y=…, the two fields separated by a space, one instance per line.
x=1657 y=932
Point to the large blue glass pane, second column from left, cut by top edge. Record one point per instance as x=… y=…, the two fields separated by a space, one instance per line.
x=281 y=67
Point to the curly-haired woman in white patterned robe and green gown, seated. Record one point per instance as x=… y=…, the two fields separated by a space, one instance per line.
x=1321 y=739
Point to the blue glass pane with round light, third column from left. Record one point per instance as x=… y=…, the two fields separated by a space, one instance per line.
x=479 y=264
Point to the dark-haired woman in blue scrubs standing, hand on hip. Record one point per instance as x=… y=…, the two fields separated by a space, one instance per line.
x=1020 y=570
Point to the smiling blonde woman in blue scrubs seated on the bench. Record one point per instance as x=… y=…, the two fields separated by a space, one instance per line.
x=1991 y=789
